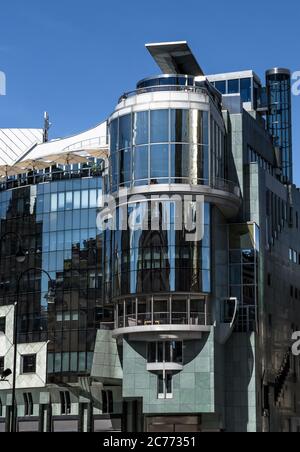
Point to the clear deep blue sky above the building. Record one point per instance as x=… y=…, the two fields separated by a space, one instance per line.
x=74 y=57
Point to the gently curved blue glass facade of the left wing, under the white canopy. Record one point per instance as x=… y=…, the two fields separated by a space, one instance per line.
x=57 y=224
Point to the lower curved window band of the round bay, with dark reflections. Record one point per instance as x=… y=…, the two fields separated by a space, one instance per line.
x=153 y=261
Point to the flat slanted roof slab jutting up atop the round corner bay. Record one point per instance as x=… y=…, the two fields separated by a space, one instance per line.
x=175 y=58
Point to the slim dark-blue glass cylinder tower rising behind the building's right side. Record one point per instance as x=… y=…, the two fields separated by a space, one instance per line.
x=279 y=117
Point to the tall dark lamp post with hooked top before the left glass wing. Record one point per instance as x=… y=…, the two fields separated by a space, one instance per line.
x=50 y=298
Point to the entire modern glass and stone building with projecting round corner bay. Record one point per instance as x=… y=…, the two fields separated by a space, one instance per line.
x=169 y=239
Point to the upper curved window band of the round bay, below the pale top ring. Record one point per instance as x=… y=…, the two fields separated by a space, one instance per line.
x=160 y=147
